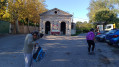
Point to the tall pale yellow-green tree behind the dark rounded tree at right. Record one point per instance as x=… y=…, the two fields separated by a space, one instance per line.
x=97 y=5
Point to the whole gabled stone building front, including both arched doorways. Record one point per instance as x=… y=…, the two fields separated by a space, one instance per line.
x=55 y=22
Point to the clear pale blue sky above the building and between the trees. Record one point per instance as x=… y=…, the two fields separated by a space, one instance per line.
x=78 y=8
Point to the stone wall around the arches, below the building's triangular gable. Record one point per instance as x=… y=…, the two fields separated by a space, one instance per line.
x=56 y=19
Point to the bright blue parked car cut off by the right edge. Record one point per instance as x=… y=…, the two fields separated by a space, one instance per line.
x=112 y=37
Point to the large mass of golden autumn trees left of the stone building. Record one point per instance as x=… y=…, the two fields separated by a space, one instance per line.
x=24 y=9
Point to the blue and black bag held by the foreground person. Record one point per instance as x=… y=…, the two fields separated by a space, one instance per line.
x=38 y=55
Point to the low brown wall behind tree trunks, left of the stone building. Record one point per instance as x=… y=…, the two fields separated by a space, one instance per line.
x=24 y=29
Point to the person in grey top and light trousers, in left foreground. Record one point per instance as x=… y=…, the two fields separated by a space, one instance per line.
x=29 y=43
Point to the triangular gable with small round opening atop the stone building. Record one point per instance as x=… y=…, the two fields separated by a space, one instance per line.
x=55 y=11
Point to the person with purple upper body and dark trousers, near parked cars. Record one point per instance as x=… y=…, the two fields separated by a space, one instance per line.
x=90 y=40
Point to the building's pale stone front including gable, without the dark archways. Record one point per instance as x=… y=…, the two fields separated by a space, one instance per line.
x=56 y=16
